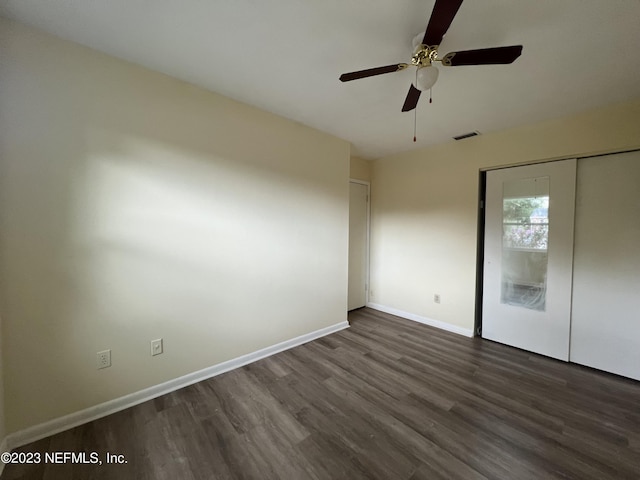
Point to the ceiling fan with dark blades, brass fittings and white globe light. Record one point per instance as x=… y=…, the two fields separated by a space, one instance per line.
x=426 y=52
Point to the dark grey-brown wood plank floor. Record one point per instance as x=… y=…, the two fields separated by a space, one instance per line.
x=386 y=398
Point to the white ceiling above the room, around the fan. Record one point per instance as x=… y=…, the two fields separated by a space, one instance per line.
x=285 y=56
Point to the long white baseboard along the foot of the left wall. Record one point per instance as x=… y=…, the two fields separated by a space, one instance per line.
x=60 y=424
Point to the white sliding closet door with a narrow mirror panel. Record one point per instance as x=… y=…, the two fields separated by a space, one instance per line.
x=528 y=257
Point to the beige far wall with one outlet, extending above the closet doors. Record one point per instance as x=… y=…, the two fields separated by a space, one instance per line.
x=424 y=206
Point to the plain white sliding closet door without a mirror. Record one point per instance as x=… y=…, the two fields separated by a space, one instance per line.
x=605 y=331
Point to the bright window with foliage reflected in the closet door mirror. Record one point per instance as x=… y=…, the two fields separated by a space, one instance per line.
x=526 y=223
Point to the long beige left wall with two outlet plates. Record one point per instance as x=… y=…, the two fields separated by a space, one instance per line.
x=134 y=206
